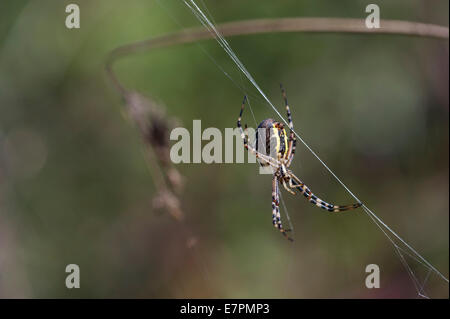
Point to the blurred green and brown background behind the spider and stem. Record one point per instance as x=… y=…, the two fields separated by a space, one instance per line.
x=75 y=186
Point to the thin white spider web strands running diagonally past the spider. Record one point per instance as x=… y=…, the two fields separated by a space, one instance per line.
x=403 y=250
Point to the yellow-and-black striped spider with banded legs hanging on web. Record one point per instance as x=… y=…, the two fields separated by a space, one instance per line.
x=283 y=151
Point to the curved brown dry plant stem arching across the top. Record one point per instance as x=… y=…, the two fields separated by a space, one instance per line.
x=260 y=26
